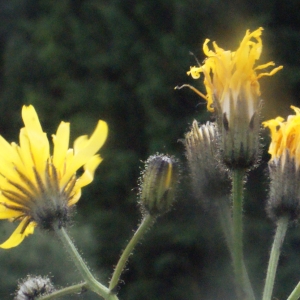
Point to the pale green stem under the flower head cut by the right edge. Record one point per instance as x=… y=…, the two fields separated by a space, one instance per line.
x=282 y=225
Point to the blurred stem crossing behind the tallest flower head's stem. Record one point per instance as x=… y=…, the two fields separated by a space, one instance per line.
x=226 y=225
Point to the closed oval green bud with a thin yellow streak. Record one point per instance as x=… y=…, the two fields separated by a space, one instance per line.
x=158 y=184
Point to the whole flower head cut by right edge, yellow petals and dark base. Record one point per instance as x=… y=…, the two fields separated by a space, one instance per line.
x=284 y=166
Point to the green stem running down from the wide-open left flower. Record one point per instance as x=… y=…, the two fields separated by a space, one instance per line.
x=91 y=283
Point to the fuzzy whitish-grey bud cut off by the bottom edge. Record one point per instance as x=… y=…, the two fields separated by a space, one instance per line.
x=34 y=287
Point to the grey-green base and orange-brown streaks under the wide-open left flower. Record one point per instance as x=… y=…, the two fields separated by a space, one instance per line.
x=42 y=201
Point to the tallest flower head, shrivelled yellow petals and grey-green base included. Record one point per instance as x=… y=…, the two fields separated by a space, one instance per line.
x=233 y=93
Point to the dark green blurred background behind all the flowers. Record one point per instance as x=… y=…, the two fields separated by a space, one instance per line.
x=119 y=61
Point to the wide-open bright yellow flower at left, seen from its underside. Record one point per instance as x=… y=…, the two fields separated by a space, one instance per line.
x=38 y=189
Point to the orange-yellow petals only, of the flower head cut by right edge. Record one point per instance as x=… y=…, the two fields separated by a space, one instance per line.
x=285 y=137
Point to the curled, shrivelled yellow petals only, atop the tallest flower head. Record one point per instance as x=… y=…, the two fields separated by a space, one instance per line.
x=229 y=75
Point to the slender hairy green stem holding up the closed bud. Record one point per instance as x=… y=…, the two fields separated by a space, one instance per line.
x=145 y=224
